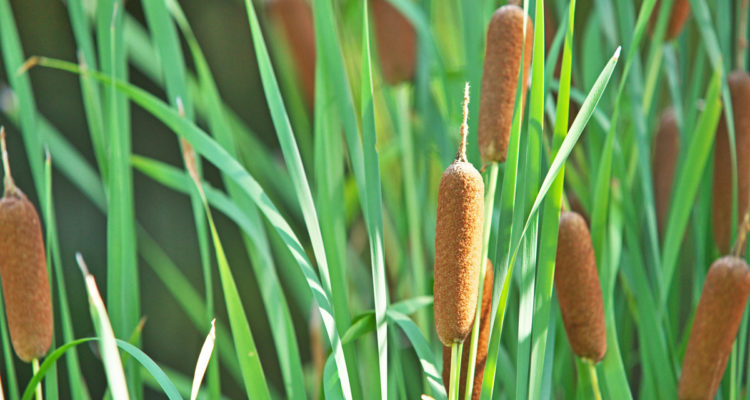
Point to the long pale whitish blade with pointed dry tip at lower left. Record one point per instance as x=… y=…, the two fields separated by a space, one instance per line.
x=107 y=347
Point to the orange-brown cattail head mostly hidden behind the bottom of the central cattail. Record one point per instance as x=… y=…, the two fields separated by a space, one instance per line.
x=482 y=344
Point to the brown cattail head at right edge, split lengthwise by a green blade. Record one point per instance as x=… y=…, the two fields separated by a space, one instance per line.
x=739 y=87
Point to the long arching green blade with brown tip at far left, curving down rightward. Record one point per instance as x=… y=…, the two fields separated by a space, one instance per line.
x=228 y=165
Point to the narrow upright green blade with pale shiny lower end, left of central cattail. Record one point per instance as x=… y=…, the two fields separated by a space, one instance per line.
x=374 y=205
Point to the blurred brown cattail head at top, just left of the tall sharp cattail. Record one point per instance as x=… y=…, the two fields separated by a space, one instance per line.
x=396 y=41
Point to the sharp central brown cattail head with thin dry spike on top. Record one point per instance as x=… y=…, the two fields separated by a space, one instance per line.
x=458 y=244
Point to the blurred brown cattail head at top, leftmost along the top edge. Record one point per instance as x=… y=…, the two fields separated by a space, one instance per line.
x=295 y=20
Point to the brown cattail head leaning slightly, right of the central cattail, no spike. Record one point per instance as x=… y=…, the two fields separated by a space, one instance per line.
x=578 y=289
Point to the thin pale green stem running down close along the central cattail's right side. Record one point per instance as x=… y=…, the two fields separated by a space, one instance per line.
x=489 y=205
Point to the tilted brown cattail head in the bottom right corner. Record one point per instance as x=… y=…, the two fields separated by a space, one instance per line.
x=717 y=319
